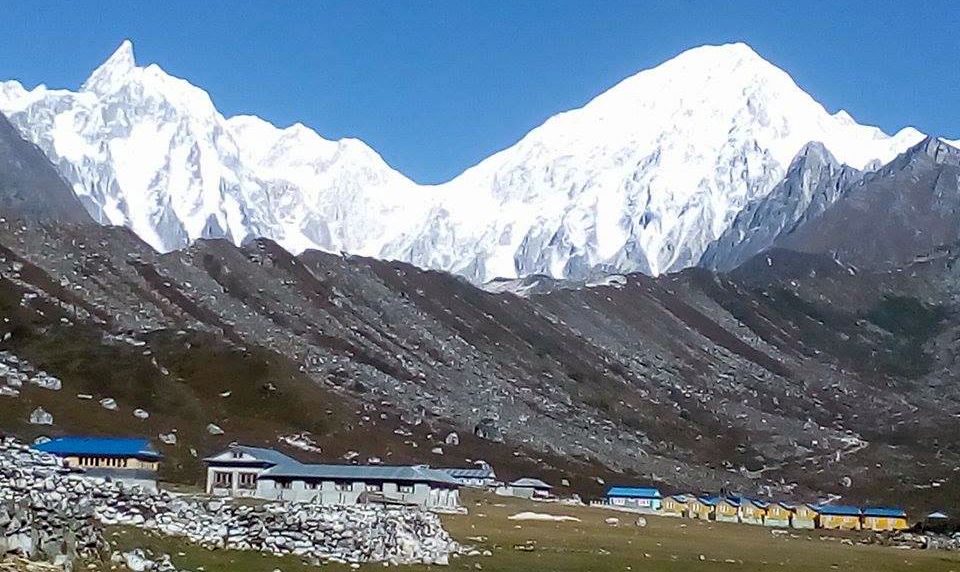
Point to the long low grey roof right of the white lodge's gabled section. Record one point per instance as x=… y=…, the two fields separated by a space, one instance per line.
x=419 y=474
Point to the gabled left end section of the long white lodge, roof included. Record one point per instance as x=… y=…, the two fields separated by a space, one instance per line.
x=235 y=471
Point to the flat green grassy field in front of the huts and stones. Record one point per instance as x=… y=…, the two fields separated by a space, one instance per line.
x=663 y=544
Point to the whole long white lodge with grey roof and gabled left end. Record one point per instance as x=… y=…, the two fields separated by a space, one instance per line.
x=264 y=473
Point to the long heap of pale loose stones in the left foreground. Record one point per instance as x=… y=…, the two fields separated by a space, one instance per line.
x=350 y=534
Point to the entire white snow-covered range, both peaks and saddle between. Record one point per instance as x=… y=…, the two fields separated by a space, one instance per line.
x=642 y=178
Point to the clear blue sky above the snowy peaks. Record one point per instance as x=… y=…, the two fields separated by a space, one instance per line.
x=435 y=86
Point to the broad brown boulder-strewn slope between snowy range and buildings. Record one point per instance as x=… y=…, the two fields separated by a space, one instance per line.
x=796 y=377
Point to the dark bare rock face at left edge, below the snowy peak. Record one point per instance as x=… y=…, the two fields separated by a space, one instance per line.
x=30 y=187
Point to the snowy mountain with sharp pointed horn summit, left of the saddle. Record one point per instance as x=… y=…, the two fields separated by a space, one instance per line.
x=150 y=151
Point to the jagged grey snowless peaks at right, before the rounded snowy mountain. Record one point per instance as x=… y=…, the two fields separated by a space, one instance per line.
x=882 y=218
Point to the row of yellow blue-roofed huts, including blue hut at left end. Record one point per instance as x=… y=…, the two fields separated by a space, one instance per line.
x=731 y=508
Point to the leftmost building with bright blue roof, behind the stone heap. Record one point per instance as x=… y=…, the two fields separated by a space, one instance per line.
x=132 y=461
